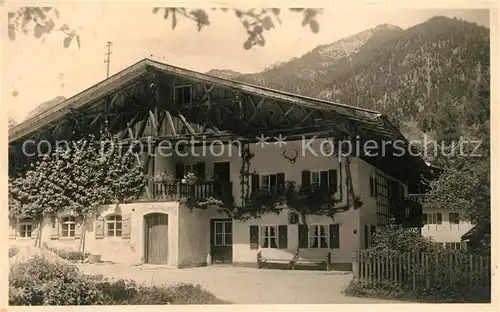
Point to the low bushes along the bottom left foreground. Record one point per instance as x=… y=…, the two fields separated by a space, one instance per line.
x=40 y=282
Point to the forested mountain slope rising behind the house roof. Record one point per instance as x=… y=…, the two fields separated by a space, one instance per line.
x=432 y=77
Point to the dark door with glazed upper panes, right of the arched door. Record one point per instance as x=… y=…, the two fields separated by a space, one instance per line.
x=221 y=238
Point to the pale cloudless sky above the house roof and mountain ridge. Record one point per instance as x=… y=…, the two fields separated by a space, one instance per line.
x=35 y=71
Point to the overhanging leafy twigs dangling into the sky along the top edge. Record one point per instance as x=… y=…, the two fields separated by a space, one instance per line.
x=255 y=21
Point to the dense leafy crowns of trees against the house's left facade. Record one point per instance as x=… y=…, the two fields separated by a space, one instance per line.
x=80 y=176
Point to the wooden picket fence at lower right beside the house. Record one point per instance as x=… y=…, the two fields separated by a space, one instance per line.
x=441 y=270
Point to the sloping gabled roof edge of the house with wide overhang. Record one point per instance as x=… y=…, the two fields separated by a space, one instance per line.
x=372 y=120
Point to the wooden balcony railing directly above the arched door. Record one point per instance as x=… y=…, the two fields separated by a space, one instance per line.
x=162 y=191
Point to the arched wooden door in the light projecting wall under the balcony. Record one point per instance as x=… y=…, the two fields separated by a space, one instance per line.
x=156 y=238
